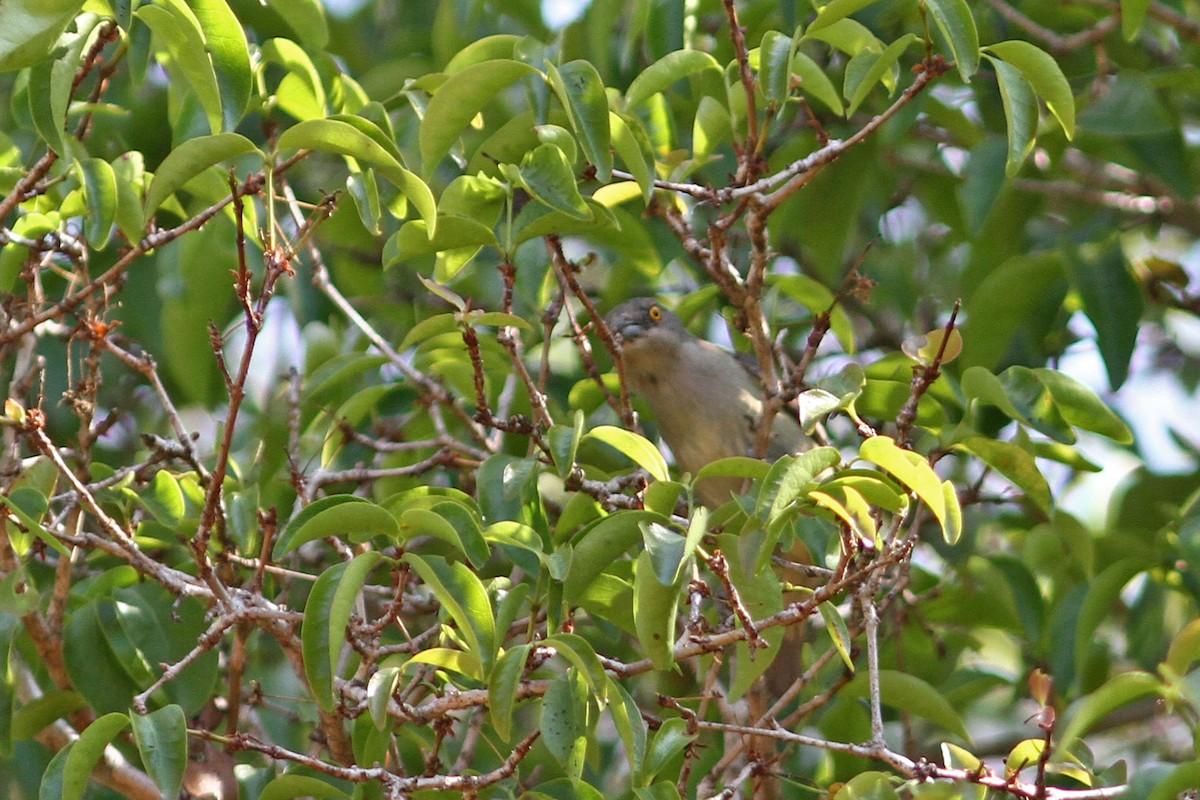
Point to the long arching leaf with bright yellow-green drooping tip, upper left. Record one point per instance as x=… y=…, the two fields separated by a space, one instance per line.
x=363 y=141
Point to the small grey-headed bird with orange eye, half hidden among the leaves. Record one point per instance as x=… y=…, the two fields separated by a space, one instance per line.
x=706 y=400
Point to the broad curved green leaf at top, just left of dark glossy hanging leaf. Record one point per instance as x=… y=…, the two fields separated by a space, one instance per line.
x=459 y=100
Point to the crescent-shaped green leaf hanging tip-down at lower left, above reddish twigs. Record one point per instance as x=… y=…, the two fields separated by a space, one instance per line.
x=327 y=616
